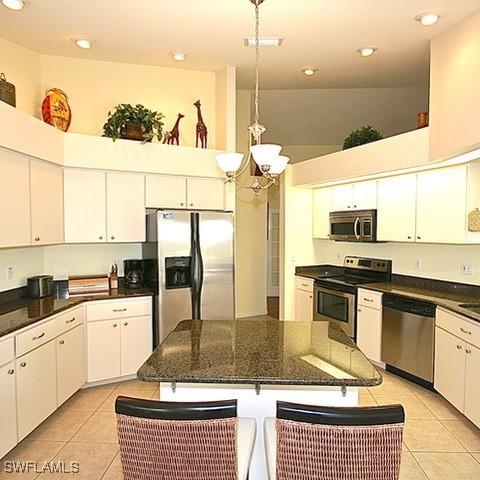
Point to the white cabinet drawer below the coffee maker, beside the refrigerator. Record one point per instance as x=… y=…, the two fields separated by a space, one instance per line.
x=104 y=310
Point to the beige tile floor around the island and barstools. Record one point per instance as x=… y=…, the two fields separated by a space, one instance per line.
x=439 y=443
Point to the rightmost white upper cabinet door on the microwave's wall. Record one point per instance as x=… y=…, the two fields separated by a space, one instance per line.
x=441 y=205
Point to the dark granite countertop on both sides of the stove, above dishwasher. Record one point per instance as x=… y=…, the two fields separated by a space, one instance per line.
x=449 y=295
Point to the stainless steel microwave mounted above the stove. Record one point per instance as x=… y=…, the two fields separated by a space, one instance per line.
x=354 y=226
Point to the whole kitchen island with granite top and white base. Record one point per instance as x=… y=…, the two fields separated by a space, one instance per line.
x=259 y=362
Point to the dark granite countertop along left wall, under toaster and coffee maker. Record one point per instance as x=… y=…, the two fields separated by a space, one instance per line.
x=23 y=312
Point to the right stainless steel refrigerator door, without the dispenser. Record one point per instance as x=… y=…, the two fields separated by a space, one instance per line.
x=216 y=245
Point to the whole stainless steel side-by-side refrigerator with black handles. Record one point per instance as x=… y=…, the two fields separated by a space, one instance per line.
x=188 y=260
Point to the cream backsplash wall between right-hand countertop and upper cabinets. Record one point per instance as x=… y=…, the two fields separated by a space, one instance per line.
x=440 y=262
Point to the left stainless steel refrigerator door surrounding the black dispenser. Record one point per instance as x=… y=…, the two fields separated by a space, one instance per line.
x=174 y=304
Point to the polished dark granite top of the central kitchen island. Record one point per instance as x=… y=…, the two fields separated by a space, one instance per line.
x=252 y=351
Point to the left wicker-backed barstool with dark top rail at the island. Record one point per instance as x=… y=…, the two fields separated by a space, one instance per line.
x=183 y=441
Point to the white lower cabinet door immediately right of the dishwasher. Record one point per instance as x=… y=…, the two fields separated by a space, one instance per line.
x=450 y=368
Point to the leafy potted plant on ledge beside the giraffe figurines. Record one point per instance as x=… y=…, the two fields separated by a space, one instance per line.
x=133 y=123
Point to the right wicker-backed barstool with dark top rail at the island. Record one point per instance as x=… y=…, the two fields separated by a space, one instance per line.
x=318 y=443
